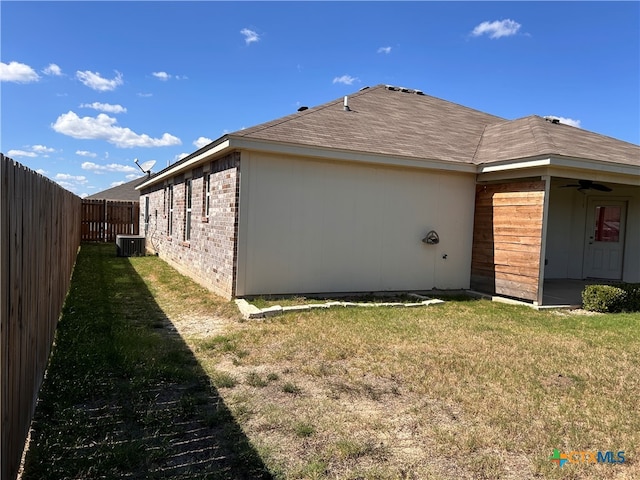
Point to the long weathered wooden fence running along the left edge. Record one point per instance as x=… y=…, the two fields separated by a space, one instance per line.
x=39 y=240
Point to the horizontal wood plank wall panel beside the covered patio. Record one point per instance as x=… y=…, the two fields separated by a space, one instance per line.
x=507 y=238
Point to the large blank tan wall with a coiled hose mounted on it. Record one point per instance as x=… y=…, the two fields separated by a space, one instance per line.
x=310 y=226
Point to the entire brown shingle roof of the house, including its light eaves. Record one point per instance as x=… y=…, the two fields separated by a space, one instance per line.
x=392 y=123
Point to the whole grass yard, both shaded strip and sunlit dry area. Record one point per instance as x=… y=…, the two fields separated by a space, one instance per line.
x=463 y=390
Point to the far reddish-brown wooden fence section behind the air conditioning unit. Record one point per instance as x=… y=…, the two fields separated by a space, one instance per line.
x=102 y=220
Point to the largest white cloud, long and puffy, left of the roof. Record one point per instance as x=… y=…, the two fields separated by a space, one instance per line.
x=104 y=127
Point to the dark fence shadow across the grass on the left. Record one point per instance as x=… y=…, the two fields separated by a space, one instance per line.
x=123 y=396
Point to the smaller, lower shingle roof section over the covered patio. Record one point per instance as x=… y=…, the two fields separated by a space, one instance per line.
x=534 y=136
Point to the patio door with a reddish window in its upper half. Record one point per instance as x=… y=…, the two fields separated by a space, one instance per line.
x=604 y=247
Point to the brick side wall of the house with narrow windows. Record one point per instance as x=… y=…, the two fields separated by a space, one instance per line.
x=209 y=255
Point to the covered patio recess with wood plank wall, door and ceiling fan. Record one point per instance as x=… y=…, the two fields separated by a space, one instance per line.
x=542 y=239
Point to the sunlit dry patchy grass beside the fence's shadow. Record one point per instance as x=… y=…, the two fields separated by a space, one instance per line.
x=463 y=390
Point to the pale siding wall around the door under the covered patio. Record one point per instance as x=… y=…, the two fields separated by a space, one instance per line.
x=566 y=231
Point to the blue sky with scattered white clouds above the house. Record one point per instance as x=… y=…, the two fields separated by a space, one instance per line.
x=87 y=87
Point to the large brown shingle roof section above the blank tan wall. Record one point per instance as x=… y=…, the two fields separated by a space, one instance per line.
x=384 y=120
